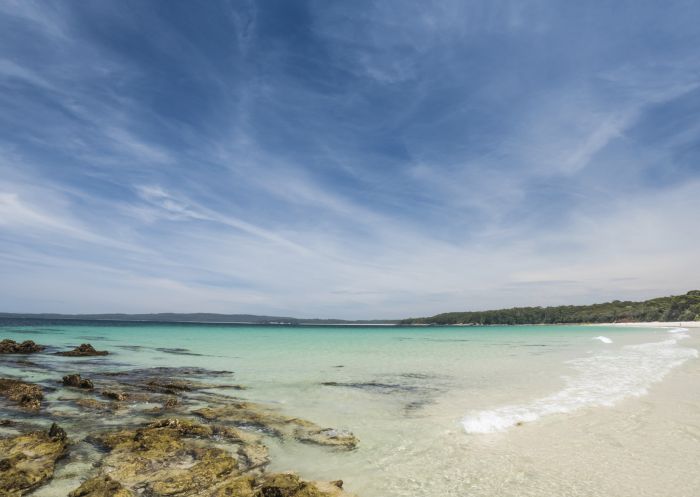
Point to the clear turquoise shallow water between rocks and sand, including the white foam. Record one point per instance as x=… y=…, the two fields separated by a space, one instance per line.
x=435 y=409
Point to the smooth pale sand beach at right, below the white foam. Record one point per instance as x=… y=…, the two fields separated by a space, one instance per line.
x=652 y=439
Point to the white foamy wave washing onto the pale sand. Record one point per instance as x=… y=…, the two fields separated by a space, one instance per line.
x=602 y=380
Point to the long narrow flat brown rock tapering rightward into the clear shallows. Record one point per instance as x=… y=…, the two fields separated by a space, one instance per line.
x=250 y=414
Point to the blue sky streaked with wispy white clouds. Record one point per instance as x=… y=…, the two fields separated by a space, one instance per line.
x=346 y=159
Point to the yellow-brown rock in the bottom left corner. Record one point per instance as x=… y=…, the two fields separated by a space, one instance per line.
x=27 y=461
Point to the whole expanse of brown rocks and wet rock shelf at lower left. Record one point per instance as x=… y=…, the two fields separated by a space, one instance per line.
x=223 y=456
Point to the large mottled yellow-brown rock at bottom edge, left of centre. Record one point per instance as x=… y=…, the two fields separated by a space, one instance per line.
x=175 y=457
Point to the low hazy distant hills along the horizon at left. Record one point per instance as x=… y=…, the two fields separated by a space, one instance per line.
x=191 y=318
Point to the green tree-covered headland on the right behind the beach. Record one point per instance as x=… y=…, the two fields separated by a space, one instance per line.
x=676 y=308
